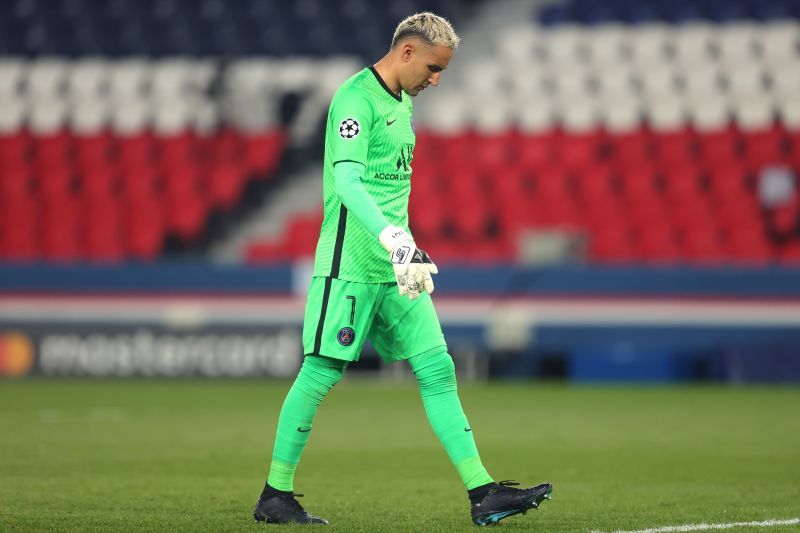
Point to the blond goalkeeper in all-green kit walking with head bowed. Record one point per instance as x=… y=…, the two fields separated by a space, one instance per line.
x=371 y=281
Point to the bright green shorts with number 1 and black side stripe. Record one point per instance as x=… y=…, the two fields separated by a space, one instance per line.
x=341 y=315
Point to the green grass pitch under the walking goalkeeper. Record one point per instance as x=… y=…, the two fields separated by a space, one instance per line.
x=159 y=455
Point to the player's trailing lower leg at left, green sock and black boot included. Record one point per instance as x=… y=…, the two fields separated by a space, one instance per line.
x=317 y=377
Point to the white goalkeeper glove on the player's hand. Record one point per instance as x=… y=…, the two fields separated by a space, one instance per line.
x=412 y=266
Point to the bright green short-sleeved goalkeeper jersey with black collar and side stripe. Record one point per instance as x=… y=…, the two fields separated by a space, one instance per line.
x=367 y=124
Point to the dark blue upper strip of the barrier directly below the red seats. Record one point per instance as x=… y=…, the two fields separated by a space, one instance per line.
x=772 y=282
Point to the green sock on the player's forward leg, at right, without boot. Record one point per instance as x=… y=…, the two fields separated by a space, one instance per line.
x=436 y=376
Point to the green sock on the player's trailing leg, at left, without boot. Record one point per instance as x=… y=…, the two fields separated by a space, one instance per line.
x=317 y=377
